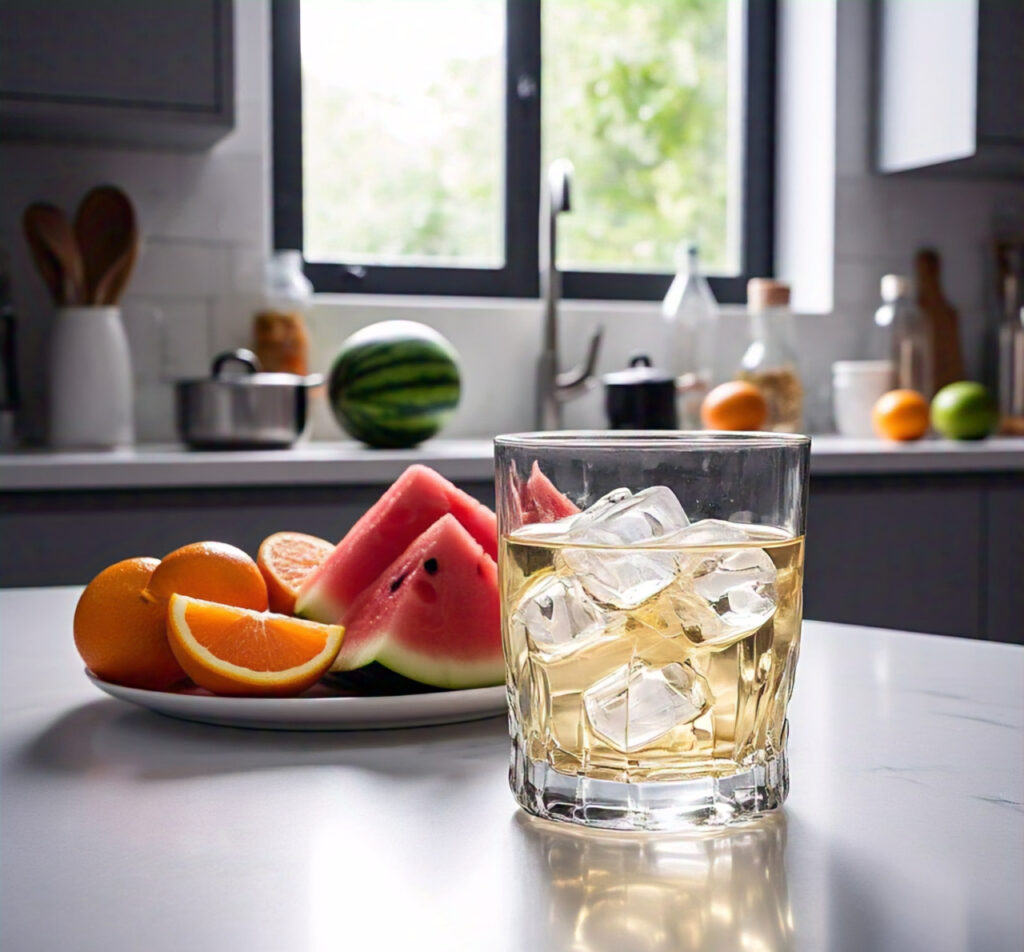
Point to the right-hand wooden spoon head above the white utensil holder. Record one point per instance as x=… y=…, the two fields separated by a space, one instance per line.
x=108 y=235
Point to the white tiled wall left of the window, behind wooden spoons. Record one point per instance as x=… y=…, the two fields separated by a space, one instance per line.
x=206 y=224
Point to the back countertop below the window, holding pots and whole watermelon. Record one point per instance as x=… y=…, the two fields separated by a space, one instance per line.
x=158 y=466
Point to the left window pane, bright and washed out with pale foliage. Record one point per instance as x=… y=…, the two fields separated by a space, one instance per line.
x=403 y=122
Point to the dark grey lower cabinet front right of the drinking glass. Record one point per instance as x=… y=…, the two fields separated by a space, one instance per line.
x=937 y=554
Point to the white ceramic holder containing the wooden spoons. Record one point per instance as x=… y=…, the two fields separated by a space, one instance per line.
x=91 y=379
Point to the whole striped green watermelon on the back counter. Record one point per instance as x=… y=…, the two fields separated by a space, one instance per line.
x=395 y=384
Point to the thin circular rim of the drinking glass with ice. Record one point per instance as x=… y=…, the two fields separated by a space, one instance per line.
x=654 y=440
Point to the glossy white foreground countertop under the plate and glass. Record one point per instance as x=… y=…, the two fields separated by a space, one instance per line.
x=123 y=831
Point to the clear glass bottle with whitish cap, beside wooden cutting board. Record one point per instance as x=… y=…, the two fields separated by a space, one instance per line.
x=907 y=336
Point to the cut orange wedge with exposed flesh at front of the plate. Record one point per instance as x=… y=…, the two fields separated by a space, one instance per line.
x=240 y=653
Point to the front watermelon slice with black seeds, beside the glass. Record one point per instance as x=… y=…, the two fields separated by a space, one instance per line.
x=433 y=616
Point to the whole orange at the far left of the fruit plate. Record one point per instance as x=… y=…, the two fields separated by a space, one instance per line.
x=121 y=634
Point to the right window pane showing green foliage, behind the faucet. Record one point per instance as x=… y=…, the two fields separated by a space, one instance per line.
x=645 y=99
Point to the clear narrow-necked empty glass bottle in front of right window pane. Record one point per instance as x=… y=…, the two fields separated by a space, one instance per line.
x=691 y=314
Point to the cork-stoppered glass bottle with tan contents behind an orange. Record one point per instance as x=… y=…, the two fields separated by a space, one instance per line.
x=771 y=360
